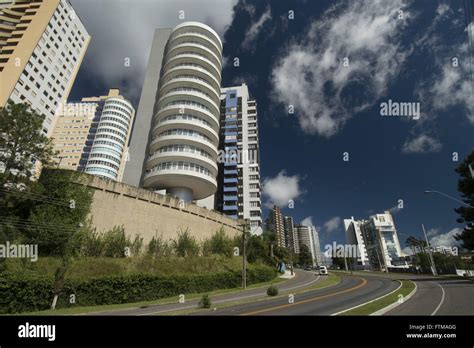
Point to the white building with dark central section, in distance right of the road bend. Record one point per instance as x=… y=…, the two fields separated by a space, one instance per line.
x=377 y=241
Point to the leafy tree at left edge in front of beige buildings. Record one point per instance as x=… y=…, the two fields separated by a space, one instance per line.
x=22 y=143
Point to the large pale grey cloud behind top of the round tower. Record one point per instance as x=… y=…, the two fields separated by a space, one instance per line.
x=122 y=30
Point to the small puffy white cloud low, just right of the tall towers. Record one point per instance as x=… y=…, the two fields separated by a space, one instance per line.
x=281 y=189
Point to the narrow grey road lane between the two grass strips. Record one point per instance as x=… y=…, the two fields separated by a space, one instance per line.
x=301 y=280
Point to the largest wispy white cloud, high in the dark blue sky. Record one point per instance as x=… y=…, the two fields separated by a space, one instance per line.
x=367 y=33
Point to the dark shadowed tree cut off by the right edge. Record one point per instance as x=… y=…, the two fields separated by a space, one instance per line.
x=466 y=188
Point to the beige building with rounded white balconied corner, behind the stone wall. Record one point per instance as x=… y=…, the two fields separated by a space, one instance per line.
x=92 y=136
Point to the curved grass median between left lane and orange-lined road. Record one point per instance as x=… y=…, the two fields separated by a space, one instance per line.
x=331 y=280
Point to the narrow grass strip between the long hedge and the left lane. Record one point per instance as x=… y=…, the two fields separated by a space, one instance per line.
x=168 y=300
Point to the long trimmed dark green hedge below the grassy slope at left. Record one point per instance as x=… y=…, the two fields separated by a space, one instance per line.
x=27 y=292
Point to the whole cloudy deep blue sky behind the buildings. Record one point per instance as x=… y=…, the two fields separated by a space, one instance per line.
x=405 y=51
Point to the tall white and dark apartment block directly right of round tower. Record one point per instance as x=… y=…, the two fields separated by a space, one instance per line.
x=239 y=191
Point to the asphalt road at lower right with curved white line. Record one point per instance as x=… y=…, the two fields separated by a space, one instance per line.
x=435 y=296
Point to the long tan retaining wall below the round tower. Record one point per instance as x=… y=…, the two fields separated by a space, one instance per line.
x=147 y=214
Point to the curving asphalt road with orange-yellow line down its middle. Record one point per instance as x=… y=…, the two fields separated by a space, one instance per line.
x=351 y=291
